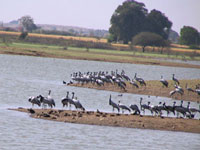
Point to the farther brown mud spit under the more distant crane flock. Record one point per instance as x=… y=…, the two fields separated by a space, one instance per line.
x=153 y=88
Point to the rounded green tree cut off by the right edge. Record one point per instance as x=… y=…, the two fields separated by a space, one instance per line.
x=189 y=36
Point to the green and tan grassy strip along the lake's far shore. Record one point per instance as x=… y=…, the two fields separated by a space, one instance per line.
x=89 y=54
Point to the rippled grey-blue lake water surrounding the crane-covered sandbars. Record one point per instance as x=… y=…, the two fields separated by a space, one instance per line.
x=24 y=76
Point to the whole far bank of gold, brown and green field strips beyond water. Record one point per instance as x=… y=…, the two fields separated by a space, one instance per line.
x=86 y=49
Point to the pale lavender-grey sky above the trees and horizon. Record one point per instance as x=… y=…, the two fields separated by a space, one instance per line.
x=96 y=14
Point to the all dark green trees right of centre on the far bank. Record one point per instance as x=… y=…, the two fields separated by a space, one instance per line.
x=131 y=22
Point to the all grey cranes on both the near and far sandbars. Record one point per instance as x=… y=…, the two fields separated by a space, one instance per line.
x=121 y=80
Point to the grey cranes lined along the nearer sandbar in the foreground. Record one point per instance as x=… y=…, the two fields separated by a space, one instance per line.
x=132 y=108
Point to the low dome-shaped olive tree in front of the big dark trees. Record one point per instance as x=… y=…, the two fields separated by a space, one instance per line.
x=149 y=39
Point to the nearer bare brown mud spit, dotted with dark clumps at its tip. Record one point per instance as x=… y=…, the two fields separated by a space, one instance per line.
x=117 y=120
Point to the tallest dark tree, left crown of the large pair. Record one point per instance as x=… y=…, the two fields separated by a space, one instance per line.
x=127 y=20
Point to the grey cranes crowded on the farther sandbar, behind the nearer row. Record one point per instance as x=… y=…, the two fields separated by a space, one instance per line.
x=121 y=80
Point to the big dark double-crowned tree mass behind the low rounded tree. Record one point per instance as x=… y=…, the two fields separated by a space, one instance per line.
x=132 y=17
